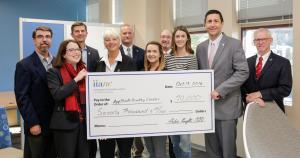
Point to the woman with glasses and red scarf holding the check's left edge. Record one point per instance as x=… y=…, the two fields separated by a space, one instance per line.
x=66 y=81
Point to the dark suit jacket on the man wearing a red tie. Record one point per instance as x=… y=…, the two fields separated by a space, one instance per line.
x=275 y=81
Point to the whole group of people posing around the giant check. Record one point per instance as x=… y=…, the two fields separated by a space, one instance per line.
x=50 y=91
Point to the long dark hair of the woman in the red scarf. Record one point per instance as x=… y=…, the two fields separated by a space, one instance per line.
x=59 y=59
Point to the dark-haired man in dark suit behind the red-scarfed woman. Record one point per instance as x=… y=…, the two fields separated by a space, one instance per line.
x=90 y=56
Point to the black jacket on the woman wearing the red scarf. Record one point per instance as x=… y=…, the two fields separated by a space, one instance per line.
x=62 y=119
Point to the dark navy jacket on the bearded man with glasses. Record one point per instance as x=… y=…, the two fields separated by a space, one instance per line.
x=33 y=97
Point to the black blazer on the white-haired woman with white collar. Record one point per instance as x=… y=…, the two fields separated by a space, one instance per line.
x=127 y=64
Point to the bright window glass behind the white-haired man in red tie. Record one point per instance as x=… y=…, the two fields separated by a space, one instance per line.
x=282 y=45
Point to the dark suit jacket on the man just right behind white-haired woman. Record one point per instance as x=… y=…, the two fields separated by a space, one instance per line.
x=137 y=56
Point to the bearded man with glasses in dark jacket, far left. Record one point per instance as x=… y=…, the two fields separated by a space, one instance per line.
x=33 y=97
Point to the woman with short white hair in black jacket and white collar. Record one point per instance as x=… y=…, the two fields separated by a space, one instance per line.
x=115 y=61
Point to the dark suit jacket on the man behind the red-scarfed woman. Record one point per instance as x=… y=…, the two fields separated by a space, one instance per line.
x=92 y=58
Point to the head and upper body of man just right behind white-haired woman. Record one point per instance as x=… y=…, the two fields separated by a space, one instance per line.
x=128 y=48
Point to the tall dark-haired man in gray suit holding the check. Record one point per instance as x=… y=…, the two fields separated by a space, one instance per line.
x=226 y=57
